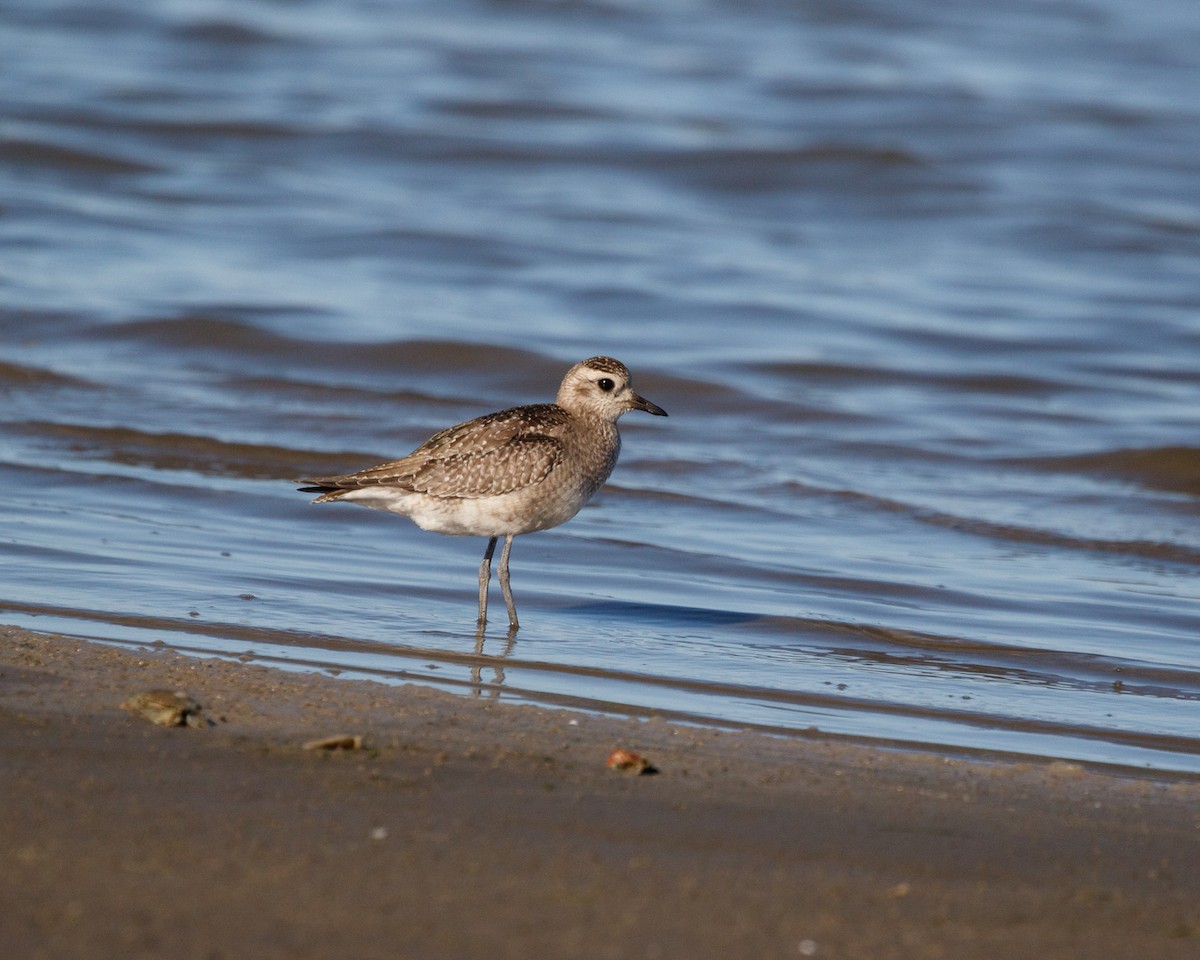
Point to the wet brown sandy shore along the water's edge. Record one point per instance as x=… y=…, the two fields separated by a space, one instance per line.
x=472 y=830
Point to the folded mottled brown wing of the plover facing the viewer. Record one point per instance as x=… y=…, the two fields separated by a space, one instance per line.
x=490 y=457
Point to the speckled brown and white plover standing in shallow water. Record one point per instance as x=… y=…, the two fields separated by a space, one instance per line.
x=518 y=471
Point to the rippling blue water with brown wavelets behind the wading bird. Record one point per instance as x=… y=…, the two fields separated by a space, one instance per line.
x=920 y=286
